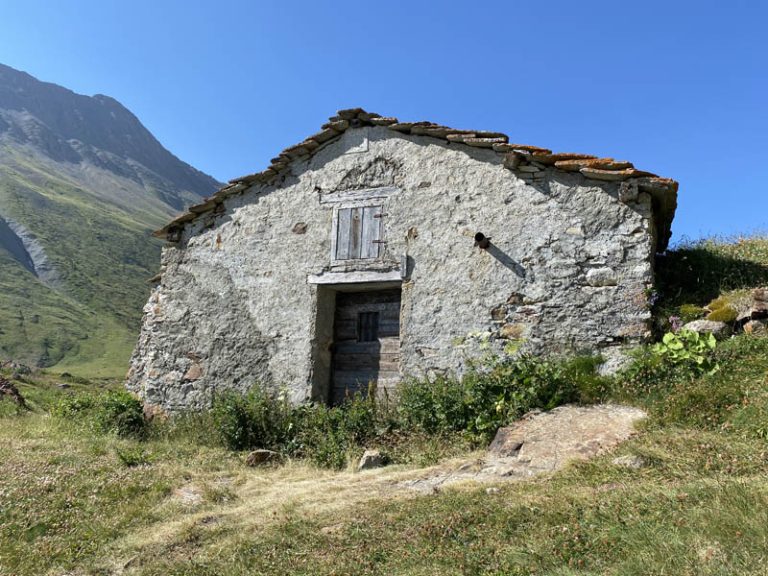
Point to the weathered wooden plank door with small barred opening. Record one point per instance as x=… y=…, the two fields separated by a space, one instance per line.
x=366 y=342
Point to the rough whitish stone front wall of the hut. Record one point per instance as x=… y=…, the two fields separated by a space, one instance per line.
x=568 y=268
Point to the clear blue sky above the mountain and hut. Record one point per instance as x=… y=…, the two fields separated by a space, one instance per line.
x=678 y=88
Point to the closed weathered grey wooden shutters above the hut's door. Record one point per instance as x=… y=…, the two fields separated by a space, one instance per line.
x=357 y=232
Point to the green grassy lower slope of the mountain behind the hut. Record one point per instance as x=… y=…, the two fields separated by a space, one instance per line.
x=103 y=253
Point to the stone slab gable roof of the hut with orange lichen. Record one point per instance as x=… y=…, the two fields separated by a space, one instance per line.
x=662 y=190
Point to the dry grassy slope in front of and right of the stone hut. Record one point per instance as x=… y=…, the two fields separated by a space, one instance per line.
x=127 y=497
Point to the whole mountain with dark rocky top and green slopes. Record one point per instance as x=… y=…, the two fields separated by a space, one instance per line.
x=82 y=185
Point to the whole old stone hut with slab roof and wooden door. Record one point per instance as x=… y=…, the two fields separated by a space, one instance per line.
x=377 y=249
